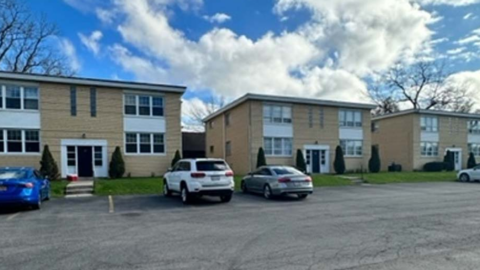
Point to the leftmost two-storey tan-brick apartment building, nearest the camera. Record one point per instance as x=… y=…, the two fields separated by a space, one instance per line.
x=84 y=120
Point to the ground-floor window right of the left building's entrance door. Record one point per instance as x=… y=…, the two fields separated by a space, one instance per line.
x=141 y=143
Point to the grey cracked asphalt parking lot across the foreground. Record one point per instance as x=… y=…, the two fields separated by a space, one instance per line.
x=402 y=226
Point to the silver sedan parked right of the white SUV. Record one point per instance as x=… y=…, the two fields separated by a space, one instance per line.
x=276 y=181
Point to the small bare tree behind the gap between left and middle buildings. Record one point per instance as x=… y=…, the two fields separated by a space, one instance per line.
x=195 y=112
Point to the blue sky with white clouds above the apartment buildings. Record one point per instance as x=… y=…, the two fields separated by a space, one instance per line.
x=309 y=48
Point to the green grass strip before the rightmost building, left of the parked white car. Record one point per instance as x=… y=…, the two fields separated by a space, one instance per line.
x=408 y=177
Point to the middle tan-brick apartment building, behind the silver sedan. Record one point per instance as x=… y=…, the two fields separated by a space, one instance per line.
x=281 y=125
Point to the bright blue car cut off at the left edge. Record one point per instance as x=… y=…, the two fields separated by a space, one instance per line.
x=23 y=186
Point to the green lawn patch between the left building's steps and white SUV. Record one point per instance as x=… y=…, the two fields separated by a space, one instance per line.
x=129 y=186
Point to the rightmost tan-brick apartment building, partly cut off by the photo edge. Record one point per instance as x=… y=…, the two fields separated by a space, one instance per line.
x=415 y=137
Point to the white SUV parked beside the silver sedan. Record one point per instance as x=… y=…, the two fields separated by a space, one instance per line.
x=197 y=177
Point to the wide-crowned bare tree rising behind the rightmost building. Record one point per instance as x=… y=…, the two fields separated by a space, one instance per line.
x=423 y=85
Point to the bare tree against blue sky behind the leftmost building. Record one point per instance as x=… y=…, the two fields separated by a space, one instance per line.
x=27 y=42
